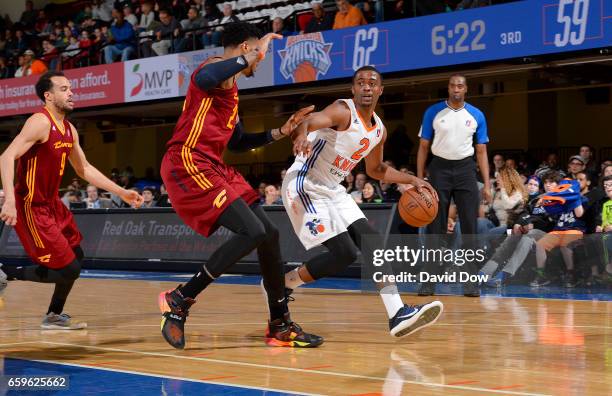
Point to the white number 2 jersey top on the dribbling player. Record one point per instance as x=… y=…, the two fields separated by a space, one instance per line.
x=336 y=153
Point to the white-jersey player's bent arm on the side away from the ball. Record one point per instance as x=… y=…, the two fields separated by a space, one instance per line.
x=337 y=115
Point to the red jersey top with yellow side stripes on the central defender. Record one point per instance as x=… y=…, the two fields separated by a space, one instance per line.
x=207 y=121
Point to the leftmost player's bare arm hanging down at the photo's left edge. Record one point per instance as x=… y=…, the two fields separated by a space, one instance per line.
x=35 y=130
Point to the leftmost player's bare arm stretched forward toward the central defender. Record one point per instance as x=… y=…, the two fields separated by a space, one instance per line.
x=88 y=172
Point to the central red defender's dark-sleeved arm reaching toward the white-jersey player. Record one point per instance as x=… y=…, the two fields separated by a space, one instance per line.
x=242 y=141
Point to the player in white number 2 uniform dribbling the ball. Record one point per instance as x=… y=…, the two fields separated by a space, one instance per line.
x=328 y=145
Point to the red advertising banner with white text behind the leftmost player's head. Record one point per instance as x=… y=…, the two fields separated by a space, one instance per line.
x=92 y=86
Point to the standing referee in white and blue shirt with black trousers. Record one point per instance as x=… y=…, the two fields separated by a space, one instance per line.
x=452 y=128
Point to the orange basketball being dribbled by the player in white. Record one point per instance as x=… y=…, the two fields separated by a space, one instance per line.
x=418 y=208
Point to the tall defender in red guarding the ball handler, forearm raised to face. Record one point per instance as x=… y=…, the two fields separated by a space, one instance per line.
x=207 y=194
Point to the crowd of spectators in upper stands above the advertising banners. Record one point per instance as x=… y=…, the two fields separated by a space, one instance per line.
x=104 y=31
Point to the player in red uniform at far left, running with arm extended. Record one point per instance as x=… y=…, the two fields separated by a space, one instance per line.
x=44 y=225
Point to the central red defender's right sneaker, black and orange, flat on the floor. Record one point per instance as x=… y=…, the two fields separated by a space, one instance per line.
x=286 y=333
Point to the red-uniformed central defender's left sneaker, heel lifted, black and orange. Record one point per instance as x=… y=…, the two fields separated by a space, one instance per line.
x=175 y=309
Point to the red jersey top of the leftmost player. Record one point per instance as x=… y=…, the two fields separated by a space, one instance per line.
x=40 y=169
